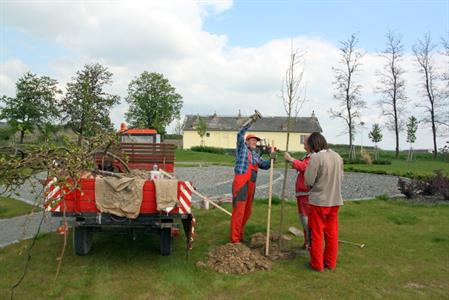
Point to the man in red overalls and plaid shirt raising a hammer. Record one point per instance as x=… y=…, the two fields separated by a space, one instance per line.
x=247 y=164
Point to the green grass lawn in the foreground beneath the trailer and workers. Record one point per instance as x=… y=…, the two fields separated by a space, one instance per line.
x=406 y=256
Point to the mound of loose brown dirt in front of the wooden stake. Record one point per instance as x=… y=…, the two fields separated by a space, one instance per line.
x=236 y=259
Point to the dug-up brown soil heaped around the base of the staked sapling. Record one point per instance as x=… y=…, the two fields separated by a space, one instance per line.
x=242 y=259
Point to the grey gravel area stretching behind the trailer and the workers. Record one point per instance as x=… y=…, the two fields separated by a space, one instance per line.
x=212 y=181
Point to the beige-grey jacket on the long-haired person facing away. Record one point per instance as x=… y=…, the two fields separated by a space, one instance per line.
x=323 y=176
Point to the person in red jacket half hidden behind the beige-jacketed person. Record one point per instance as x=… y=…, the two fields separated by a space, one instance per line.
x=302 y=191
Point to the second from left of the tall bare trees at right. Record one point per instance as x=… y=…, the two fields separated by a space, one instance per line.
x=392 y=85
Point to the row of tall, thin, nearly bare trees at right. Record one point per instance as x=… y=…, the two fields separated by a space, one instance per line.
x=434 y=99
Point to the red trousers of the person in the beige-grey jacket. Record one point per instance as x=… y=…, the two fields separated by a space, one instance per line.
x=323 y=225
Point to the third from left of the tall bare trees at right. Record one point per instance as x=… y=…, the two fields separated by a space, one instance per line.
x=423 y=51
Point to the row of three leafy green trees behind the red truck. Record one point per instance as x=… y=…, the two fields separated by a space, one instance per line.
x=39 y=104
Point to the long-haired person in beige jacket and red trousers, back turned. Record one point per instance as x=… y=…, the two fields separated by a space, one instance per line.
x=323 y=176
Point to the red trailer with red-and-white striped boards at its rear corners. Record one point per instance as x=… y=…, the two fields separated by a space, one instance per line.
x=80 y=204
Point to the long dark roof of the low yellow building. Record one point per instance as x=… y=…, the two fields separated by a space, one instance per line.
x=271 y=124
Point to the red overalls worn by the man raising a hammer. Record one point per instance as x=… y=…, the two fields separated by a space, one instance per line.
x=243 y=189
